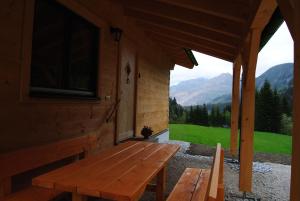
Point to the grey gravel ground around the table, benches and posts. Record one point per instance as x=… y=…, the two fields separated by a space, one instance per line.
x=270 y=186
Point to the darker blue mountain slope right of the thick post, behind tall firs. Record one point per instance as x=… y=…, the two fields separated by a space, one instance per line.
x=279 y=76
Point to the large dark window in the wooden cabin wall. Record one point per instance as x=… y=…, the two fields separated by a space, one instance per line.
x=64 y=53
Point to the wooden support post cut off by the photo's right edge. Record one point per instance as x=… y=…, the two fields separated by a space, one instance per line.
x=295 y=176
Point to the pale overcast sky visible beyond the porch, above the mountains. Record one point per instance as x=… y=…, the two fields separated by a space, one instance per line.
x=278 y=50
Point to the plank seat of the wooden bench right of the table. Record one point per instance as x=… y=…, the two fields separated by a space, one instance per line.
x=191 y=185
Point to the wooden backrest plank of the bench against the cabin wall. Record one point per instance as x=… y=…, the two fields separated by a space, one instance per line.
x=18 y=161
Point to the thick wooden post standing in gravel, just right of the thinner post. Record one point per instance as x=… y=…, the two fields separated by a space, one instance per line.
x=248 y=106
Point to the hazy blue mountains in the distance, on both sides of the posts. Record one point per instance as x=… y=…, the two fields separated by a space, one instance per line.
x=218 y=89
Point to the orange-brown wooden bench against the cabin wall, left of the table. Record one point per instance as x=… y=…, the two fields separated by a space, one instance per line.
x=31 y=159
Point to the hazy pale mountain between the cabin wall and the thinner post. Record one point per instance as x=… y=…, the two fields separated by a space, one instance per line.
x=199 y=91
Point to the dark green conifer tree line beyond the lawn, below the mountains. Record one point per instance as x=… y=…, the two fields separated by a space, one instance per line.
x=272 y=112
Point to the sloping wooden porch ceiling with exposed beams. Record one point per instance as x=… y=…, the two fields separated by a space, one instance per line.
x=213 y=27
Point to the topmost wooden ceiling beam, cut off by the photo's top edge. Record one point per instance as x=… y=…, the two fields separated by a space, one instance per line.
x=229 y=9
